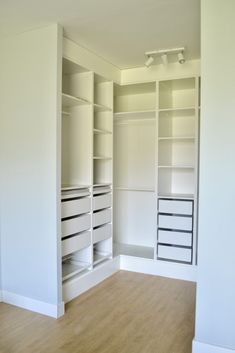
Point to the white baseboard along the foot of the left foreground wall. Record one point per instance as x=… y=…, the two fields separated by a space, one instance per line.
x=33 y=305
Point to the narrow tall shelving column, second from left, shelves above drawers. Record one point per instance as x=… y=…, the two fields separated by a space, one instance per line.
x=102 y=202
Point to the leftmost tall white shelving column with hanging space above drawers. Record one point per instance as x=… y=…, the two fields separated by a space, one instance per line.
x=76 y=172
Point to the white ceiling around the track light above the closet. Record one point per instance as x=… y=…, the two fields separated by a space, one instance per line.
x=119 y=31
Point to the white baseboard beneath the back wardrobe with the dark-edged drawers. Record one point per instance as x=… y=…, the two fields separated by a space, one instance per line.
x=158 y=268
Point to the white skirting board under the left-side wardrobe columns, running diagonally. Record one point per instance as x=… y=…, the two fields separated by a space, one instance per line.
x=77 y=286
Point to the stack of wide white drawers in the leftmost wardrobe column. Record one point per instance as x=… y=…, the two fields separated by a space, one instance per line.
x=75 y=225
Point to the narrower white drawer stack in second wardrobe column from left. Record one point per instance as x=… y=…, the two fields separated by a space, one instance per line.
x=102 y=218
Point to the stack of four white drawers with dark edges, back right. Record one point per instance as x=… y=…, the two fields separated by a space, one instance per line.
x=175 y=230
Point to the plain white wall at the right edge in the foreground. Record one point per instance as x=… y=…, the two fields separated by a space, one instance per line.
x=215 y=309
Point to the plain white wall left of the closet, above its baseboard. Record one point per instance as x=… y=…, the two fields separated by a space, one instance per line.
x=29 y=181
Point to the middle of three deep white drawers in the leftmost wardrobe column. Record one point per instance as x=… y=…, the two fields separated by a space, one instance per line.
x=75 y=225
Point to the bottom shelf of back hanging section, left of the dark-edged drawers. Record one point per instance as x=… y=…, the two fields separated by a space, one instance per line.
x=133 y=250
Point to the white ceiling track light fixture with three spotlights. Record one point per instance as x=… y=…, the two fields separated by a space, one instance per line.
x=164 y=53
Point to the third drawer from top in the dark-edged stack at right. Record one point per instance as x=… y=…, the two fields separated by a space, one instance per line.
x=175 y=238
